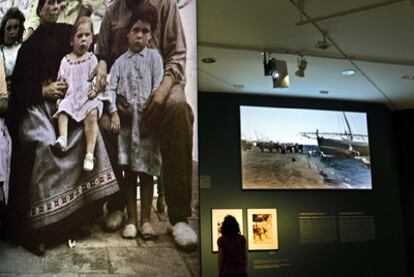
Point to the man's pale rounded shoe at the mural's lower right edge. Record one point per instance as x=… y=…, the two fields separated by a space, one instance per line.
x=184 y=236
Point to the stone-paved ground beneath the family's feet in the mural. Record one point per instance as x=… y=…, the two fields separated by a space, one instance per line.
x=108 y=254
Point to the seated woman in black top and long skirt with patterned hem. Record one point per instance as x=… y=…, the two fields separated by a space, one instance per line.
x=48 y=187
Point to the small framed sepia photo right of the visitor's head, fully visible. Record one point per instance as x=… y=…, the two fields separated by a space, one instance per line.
x=262 y=229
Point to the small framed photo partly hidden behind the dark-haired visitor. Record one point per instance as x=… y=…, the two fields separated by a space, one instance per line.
x=217 y=218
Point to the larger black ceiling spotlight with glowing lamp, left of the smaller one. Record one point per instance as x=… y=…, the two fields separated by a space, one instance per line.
x=277 y=69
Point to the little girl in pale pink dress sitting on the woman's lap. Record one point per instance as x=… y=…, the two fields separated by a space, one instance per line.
x=79 y=102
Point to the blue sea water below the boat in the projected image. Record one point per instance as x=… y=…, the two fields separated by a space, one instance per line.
x=348 y=173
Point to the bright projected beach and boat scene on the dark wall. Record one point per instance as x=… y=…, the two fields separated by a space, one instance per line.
x=283 y=148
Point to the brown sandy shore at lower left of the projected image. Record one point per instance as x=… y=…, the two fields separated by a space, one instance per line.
x=280 y=171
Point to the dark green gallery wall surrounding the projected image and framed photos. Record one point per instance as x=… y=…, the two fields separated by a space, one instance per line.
x=219 y=150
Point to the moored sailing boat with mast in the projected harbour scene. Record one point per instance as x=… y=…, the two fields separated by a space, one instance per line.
x=341 y=144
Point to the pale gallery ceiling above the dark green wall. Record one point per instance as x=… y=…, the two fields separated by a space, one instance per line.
x=374 y=37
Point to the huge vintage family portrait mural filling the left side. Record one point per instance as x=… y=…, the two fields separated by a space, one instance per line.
x=98 y=155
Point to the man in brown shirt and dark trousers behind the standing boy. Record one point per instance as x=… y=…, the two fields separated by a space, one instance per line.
x=167 y=112
